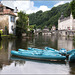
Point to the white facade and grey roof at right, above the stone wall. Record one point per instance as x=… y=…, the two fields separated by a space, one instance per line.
x=66 y=23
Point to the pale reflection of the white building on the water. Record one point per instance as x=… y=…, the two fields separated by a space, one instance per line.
x=65 y=42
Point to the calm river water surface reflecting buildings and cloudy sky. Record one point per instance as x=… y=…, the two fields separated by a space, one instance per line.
x=24 y=66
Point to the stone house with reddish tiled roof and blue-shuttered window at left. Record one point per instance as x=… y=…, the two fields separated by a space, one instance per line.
x=7 y=19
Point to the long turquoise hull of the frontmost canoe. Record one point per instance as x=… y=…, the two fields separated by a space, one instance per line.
x=41 y=57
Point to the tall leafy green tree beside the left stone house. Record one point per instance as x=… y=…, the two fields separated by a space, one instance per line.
x=22 y=23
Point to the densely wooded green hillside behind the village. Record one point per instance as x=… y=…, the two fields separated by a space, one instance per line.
x=49 y=18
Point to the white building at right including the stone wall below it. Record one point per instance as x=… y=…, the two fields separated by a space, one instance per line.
x=66 y=26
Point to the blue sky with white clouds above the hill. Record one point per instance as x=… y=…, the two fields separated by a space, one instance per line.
x=32 y=6
